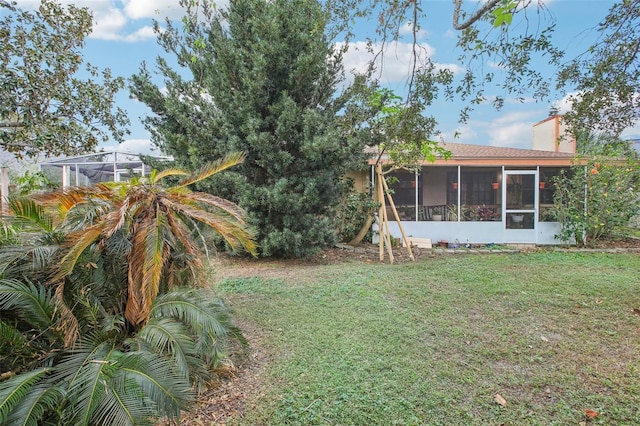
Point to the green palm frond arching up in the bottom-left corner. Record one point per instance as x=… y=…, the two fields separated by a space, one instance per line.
x=40 y=400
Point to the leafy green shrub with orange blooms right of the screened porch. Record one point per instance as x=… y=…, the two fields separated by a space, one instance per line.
x=597 y=198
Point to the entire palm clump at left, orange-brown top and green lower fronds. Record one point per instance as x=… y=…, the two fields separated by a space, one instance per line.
x=103 y=329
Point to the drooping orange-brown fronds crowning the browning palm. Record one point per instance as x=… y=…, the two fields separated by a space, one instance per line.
x=159 y=224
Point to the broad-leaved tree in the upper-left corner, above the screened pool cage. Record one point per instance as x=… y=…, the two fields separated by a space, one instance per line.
x=49 y=102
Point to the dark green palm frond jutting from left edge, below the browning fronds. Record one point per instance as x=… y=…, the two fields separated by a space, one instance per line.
x=31 y=302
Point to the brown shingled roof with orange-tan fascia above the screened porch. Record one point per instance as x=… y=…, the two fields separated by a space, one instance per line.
x=468 y=154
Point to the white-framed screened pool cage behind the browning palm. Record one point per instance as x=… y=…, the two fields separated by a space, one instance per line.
x=89 y=169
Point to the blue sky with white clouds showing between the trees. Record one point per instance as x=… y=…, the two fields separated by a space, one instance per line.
x=123 y=38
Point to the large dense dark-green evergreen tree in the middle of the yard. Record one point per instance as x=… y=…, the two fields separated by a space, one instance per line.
x=259 y=77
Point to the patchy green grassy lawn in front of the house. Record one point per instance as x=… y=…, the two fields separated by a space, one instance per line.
x=433 y=342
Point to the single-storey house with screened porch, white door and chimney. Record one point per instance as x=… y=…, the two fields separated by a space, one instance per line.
x=484 y=194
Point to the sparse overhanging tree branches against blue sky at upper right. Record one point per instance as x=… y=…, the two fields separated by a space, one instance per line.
x=601 y=84
